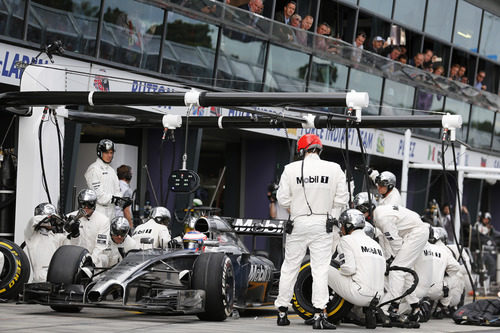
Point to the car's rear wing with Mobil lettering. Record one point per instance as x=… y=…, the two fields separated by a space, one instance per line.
x=257 y=226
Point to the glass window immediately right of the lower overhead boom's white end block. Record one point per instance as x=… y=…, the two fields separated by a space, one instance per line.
x=481 y=127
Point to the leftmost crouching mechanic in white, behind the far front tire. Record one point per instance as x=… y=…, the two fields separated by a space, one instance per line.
x=43 y=235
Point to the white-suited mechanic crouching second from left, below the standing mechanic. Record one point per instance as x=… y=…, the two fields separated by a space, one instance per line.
x=87 y=227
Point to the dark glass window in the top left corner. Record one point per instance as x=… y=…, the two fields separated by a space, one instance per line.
x=12 y=18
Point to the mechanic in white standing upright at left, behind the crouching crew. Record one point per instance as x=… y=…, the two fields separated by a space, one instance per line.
x=102 y=178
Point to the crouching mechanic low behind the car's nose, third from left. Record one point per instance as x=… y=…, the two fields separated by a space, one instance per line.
x=117 y=245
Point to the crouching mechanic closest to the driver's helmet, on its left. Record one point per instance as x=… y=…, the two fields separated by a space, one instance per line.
x=154 y=233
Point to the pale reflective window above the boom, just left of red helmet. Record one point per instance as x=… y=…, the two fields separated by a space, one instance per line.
x=286 y=70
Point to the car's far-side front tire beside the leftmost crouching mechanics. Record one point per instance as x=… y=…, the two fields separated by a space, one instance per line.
x=65 y=267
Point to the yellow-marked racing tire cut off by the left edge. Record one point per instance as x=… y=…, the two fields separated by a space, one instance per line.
x=16 y=270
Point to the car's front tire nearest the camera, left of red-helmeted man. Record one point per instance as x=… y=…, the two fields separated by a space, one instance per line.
x=213 y=272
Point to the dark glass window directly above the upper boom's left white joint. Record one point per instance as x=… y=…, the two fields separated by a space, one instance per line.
x=187 y=44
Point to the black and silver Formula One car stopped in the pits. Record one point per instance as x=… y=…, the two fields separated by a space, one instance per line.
x=207 y=279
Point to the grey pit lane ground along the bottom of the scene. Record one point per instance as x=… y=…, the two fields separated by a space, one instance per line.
x=38 y=318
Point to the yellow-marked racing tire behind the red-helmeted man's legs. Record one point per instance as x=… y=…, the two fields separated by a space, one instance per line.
x=336 y=308
